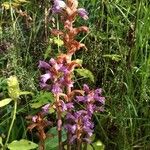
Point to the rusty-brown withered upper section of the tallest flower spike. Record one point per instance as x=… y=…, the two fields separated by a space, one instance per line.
x=69 y=33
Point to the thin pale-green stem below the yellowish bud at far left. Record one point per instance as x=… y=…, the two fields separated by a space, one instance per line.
x=12 y=122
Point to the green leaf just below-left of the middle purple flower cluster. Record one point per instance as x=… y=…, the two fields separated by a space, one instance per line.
x=42 y=99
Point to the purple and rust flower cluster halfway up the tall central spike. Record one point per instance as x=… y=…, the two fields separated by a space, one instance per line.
x=58 y=73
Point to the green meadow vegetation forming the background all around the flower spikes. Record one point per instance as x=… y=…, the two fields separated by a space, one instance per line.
x=118 y=55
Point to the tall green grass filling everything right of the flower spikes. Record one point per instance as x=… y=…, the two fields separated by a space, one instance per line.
x=121 y=28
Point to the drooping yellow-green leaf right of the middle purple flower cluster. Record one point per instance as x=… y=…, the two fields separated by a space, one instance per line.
x=85 y=73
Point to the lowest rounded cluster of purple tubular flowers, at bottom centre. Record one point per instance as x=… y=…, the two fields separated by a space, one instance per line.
x=79 y=125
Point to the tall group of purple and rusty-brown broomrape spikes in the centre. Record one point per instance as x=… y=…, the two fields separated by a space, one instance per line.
x=74 y=107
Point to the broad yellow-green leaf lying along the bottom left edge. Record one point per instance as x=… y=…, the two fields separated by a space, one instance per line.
x=22 y=145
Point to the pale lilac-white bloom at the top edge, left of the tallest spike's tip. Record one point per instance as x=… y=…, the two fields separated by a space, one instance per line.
x=58 y=6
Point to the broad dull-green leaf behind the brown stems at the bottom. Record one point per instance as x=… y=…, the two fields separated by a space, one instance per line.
x=52 y=143
